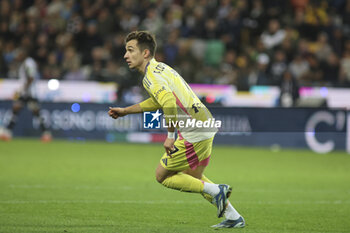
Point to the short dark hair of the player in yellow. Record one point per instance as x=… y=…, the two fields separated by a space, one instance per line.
x=145 y=40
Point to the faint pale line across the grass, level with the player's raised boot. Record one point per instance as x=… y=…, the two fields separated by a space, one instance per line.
x=157 y=202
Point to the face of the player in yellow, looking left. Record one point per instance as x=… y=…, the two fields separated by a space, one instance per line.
x=133 y=55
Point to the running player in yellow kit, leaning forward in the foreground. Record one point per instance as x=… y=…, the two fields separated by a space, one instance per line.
x=185 y=158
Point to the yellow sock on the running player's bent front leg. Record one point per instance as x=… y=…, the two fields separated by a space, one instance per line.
x=184 y=183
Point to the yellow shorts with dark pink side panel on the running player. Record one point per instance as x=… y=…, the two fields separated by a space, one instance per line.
x=188 y=155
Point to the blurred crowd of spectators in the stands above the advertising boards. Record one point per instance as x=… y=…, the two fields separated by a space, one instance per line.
x=240 y=42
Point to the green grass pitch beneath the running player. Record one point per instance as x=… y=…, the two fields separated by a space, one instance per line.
x=100 y=187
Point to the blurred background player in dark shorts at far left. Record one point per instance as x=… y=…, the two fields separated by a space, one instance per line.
x=26 y=95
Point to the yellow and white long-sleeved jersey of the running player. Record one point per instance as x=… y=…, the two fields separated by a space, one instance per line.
x=180 y=105
